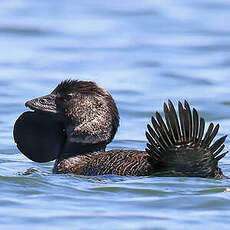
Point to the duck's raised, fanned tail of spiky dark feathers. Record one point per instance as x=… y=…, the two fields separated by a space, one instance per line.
x=180 y=146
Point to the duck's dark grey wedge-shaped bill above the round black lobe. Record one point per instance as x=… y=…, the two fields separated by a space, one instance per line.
x=43 y=104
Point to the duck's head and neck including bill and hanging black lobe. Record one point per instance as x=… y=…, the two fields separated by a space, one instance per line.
x=77 y=117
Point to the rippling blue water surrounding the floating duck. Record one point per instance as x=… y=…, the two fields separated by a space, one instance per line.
x=143 y=53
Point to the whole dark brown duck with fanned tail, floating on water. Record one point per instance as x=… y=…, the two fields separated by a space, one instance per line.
x=78 y=119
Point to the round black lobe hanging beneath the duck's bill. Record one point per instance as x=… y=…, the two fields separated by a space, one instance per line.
x=38 y=136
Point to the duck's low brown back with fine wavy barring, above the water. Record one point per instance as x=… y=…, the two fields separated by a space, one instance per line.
x=119 y=162
